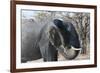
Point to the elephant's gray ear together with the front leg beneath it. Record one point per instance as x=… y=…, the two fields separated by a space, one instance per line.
x=48 y=50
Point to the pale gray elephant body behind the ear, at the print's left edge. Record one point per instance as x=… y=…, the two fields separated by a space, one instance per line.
x=29 y=33
